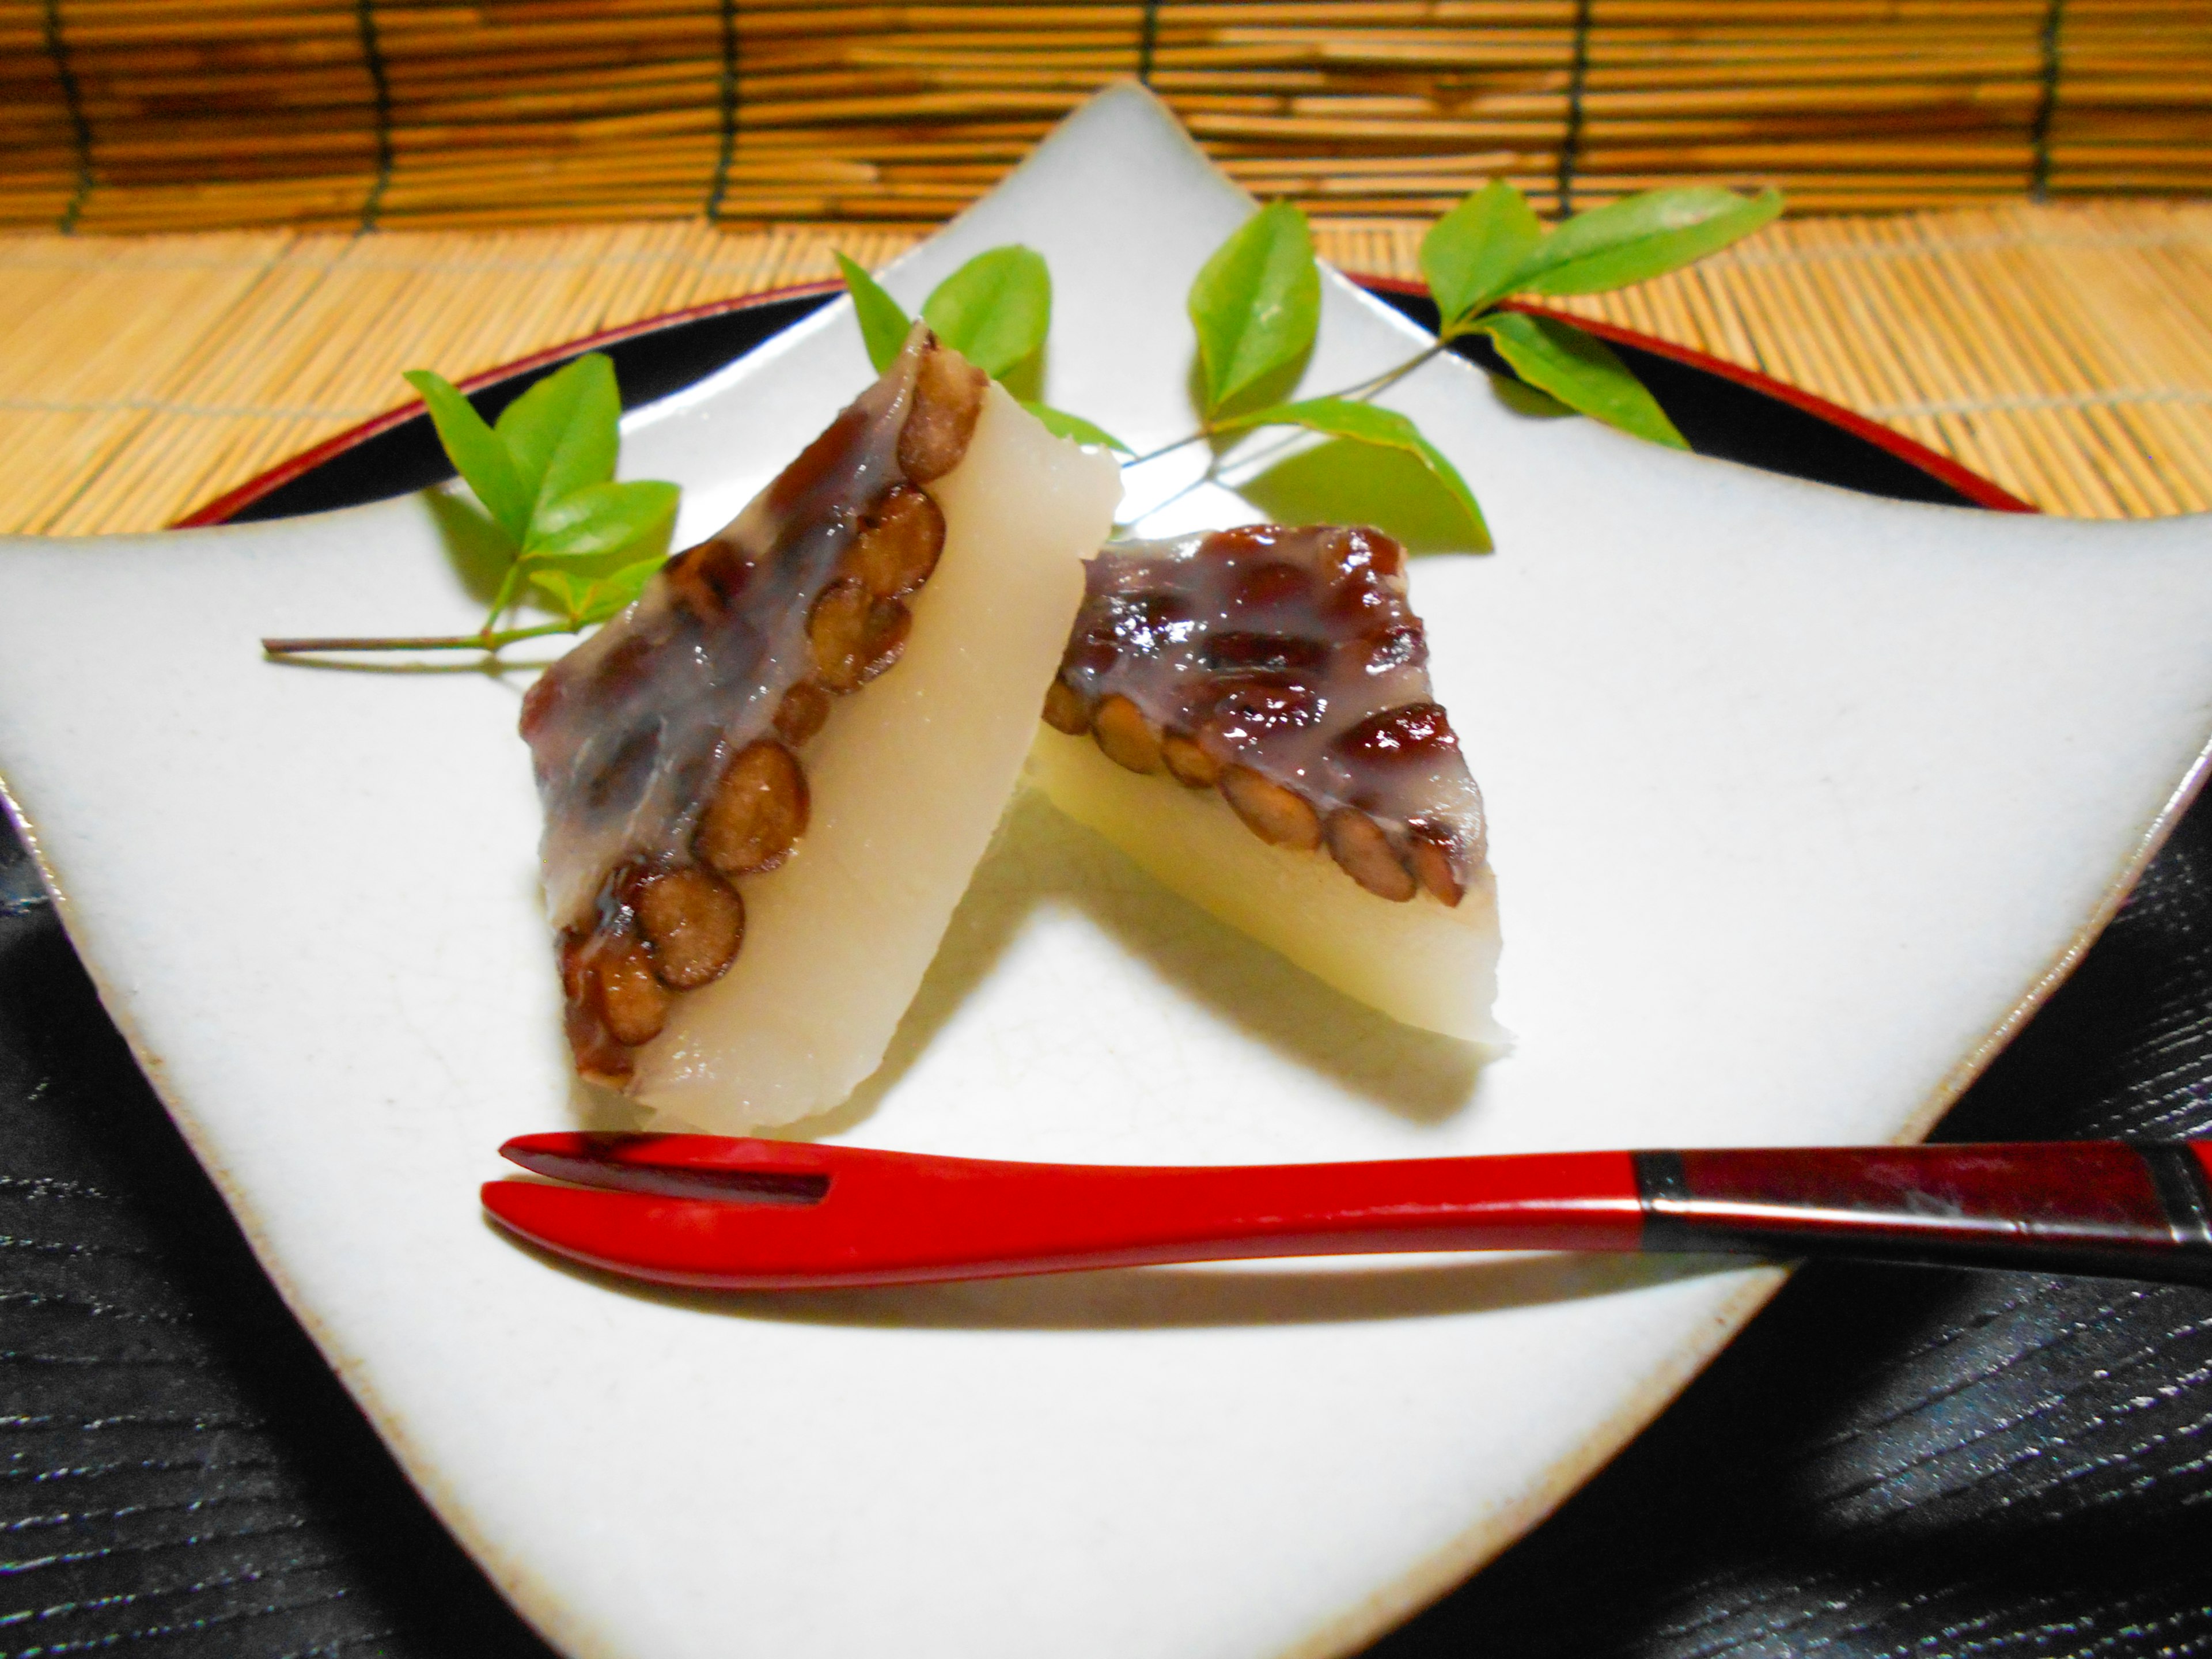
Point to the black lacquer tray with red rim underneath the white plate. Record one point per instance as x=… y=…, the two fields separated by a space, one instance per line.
x=1886 y=1463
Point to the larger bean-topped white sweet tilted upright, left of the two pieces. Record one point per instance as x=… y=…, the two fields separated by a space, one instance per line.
x=769 y=780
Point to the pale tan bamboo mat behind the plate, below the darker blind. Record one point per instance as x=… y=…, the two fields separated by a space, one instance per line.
x=2063 y=351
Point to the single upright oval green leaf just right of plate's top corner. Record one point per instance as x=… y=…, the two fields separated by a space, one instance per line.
x=1255 y=304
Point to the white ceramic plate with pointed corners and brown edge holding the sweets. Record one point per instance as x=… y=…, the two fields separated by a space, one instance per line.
x=1799 y=804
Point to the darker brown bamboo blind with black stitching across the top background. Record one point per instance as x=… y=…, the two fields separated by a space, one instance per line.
x=198 y=114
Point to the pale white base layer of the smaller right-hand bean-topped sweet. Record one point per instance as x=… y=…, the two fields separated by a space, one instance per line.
x=1421 y=963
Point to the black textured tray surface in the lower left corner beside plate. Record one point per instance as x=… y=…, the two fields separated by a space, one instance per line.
x=185 y=1477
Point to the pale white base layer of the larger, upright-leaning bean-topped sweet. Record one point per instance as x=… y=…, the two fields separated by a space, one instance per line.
x=908 y=782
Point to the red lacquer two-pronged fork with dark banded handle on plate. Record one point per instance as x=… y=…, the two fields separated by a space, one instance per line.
x=778 y=1215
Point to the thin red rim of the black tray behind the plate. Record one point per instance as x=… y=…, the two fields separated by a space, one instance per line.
x=1968 y=483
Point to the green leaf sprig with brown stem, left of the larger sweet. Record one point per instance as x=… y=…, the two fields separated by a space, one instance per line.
x=545 y=474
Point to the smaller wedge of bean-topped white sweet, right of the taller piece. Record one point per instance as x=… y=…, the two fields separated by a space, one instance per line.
x=1249 y=716
